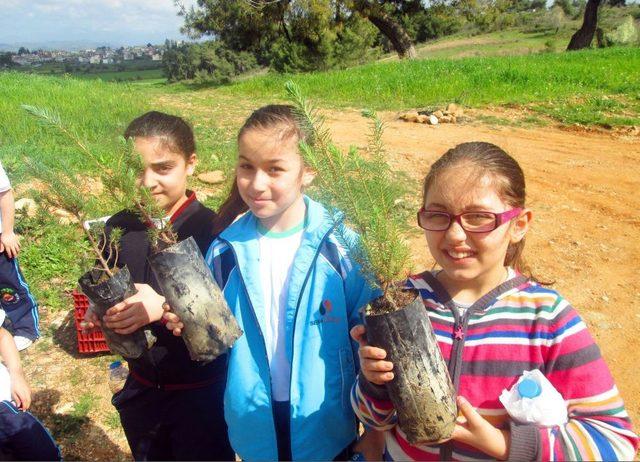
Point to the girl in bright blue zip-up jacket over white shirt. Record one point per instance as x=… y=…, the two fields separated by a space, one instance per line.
x=296 y=294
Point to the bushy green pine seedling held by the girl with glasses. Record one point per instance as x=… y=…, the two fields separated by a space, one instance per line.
x=366 y=190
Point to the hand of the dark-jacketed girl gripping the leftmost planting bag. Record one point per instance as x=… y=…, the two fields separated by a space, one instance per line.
x=136 y=311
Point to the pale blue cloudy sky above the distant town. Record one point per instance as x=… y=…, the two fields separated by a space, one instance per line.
x=116 y=22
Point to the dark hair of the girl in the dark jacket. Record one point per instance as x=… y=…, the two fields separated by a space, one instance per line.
x=174 y=132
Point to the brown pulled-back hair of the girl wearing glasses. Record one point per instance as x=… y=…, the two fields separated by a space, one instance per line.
x=506 y=174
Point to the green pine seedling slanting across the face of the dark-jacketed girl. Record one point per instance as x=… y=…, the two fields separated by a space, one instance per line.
x=120 y=174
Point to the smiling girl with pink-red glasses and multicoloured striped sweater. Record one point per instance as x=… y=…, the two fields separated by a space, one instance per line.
x=492 y=323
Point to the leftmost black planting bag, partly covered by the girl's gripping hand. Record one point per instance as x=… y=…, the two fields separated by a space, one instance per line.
x=103 y=296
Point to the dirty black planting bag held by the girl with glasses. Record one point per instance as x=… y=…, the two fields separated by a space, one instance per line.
x=421 y=390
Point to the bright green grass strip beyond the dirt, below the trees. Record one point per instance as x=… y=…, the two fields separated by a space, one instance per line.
x=561 y=79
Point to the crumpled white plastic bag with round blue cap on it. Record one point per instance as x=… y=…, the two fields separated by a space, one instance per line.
x=546 y=409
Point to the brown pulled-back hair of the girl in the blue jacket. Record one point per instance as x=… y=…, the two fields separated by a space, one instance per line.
x=272 y=116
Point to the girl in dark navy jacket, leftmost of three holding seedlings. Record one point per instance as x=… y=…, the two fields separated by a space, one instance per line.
x=170 y=406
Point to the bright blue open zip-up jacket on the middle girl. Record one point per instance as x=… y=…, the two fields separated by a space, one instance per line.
x=326 y=291
